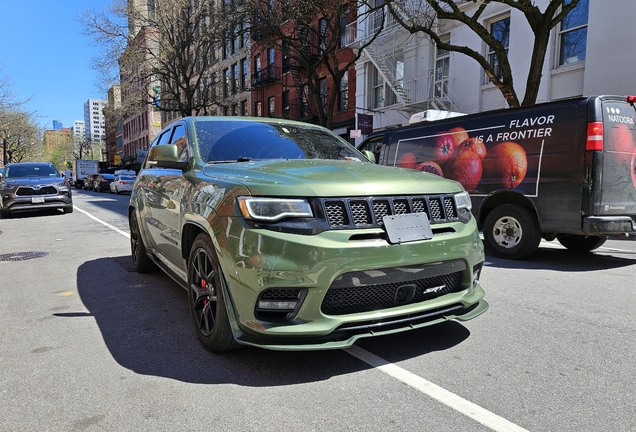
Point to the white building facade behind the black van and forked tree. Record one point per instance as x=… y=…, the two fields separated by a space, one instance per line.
x=400 y=74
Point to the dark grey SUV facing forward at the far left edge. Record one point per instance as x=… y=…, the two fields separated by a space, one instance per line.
x=33 y=185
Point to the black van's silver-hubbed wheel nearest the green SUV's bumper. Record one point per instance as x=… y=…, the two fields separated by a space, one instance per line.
x=512 y=231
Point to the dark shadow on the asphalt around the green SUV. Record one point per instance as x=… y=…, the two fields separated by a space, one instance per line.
x=146 y=325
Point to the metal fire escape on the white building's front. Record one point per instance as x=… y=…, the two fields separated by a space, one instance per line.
x=394 y=53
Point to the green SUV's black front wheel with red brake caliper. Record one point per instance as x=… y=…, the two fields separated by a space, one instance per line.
x=206 y=297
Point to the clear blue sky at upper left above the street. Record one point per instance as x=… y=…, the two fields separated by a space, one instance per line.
x=46 y=57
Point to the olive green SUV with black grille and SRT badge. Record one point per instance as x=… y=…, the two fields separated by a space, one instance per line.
x=286 y=237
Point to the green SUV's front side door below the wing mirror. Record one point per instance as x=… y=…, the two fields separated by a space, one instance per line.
x=170 y=188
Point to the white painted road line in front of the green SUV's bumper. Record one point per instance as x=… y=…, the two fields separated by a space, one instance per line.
x=469 y=409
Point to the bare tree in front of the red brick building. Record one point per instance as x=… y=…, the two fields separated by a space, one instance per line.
x=311 y=34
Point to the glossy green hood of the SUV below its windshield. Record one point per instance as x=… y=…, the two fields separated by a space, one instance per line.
x=328 y=178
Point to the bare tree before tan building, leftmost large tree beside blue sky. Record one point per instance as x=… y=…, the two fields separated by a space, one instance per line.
x=166 y=53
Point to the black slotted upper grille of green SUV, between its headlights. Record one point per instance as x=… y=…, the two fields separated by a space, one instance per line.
x=365 y=212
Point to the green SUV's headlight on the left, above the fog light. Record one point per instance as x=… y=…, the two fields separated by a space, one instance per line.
x=273 y=209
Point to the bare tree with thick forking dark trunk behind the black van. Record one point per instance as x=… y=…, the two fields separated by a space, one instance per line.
x=428 y=16
